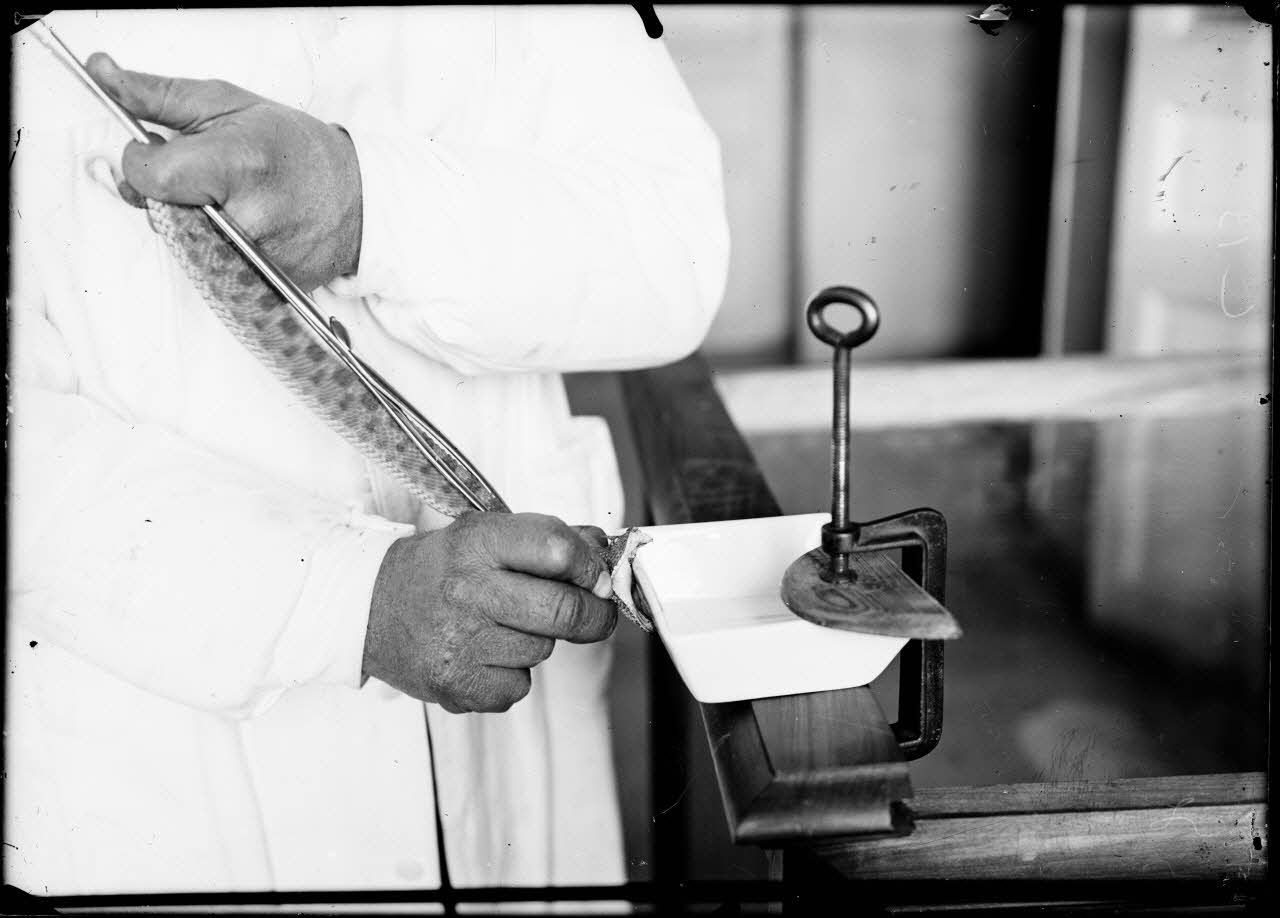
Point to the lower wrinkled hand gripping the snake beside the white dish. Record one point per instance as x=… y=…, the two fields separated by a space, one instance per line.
x=461 y=615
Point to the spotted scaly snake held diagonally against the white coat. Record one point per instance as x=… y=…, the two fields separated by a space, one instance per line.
x=260 y=319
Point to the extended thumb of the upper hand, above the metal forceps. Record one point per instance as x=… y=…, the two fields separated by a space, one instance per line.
x=172 y=102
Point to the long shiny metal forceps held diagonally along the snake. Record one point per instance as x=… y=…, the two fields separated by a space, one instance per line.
x=435 y=446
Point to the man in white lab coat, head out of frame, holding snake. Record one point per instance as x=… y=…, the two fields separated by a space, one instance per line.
x=223 y=622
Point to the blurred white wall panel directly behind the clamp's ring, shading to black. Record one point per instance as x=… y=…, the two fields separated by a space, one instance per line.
x=912 y=171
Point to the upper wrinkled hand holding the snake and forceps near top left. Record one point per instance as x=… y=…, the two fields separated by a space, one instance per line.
x=290 y=181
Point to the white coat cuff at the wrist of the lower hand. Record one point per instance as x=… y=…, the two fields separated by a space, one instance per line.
x=326 y=640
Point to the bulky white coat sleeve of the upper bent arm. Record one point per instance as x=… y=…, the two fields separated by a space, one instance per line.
x=582 y=229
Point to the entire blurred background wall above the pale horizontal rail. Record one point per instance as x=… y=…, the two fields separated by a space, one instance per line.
x=906 y=152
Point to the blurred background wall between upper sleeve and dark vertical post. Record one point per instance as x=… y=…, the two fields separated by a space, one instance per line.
x=897 y=149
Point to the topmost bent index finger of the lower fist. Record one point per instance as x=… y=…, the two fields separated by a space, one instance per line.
x=546 y=547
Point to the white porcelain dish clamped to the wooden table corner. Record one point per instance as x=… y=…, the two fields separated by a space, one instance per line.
x=714 y=593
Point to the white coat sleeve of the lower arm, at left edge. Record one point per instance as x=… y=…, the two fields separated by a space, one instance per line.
x=190 y=576
